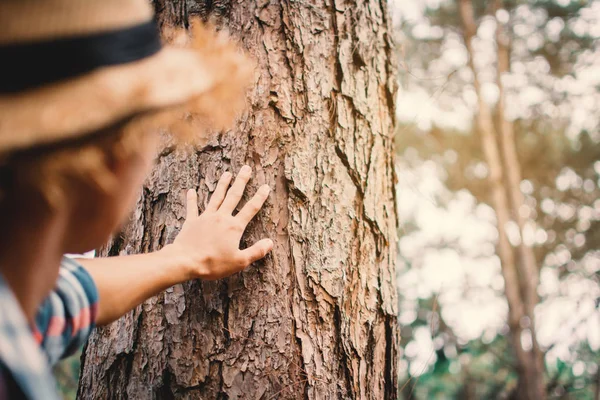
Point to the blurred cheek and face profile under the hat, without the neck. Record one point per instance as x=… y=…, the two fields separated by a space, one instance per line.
x=96 y=215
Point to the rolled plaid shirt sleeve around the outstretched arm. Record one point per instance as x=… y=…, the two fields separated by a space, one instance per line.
x=68 y=315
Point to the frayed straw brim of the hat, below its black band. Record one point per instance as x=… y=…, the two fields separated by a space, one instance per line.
x=79 y=106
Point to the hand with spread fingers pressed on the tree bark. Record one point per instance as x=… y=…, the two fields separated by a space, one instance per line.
x=208 y=244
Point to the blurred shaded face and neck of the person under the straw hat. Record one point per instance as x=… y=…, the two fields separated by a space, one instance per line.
x=80 y=219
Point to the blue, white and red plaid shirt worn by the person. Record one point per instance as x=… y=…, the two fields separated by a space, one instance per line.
x=62 y=325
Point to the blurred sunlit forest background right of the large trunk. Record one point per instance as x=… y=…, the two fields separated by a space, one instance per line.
x=533 y=87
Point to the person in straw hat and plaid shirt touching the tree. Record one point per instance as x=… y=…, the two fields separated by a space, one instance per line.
x=87 y=94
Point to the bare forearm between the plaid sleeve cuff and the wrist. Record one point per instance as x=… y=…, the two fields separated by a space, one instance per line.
x=124 y=282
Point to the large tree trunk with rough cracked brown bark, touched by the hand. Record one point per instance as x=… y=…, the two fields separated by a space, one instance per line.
x=317 y=318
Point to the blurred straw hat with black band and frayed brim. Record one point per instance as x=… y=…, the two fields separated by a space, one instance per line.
x=73 y=67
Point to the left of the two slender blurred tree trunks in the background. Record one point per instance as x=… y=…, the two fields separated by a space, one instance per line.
x=531 y=381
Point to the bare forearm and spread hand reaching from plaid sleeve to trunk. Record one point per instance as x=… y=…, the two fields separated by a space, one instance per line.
x=206 y=248
